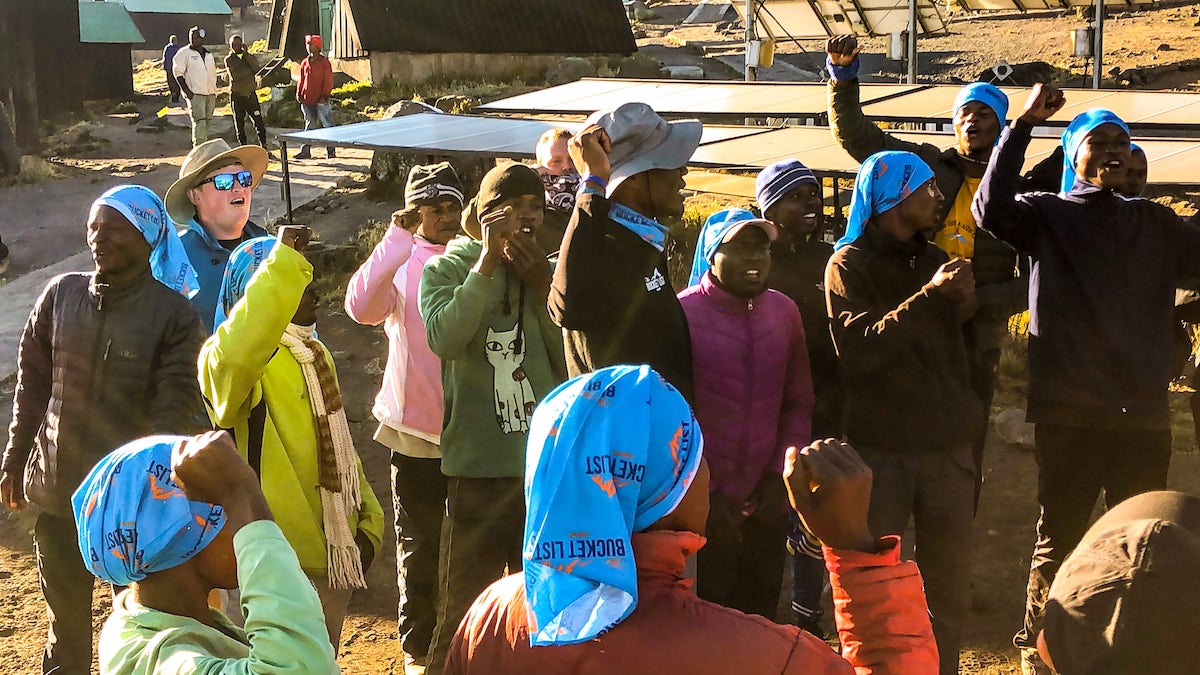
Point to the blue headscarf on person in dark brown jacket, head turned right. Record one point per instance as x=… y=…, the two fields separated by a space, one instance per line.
x=884 y=181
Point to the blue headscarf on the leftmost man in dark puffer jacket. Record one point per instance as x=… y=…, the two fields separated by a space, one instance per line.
x=146 y=212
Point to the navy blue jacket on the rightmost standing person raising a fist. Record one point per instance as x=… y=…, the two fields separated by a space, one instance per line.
x=1102 y=294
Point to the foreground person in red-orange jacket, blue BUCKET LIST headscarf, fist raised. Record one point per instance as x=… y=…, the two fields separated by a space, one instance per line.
x=617 y=495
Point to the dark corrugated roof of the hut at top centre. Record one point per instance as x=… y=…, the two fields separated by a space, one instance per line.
x=494 y=27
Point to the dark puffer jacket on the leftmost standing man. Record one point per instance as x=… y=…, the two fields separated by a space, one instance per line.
x=99 y=367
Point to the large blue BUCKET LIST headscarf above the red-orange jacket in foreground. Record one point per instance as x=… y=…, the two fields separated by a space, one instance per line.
x=610 y=453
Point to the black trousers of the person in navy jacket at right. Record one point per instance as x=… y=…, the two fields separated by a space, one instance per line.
x=1077 y=465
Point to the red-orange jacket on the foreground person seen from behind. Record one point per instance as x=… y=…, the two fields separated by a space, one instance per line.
x=880 y=607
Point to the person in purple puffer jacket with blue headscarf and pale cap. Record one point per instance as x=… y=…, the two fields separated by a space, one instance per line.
x=754 y=399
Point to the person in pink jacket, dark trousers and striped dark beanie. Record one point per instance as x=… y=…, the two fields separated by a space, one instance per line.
x=410 y=405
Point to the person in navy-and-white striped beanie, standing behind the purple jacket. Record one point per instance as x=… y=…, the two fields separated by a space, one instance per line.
x=789 y=196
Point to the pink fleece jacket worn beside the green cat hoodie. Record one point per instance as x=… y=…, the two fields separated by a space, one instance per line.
x=386 y=290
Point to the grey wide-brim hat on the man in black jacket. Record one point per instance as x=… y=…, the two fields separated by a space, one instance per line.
x=644 y=141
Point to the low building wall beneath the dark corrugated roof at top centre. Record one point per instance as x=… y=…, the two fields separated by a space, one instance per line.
x=421 y=68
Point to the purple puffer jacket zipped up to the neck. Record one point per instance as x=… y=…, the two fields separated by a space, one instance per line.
x=754 y=389
